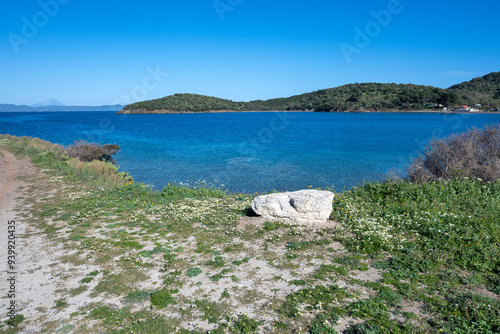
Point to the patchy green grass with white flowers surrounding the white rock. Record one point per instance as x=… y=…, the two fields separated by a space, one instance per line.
x=434 y=247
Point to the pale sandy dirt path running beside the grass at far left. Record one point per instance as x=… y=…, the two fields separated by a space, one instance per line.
x=37 y=260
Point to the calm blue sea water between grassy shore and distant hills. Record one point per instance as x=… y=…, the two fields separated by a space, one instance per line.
x=255 y=151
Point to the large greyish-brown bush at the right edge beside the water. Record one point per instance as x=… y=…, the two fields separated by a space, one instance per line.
x=475 y=153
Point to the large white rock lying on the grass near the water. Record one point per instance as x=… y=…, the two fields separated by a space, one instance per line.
x=303 y=206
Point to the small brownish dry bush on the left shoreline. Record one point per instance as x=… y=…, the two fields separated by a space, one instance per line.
x=88 y=152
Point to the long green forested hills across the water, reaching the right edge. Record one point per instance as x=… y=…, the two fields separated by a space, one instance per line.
x=352 y=97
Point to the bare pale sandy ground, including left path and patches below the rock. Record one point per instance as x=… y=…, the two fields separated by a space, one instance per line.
x=49 y=271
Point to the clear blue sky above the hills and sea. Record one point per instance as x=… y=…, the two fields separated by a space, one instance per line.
x=105 y=52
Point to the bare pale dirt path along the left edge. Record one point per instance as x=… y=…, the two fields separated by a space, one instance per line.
x=32 y=287
